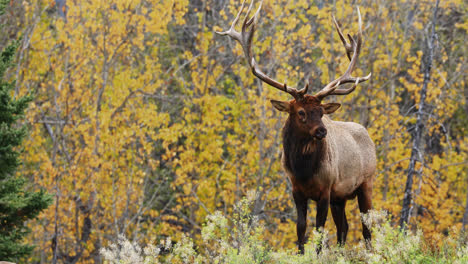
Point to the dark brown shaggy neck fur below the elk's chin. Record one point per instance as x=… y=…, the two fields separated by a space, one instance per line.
x=303 y=154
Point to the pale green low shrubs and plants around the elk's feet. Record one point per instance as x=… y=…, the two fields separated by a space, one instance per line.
x=240 y=241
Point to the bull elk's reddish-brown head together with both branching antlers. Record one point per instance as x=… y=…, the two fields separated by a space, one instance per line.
x=305 y=111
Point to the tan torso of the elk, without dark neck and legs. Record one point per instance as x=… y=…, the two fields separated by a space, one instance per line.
x=350 y=161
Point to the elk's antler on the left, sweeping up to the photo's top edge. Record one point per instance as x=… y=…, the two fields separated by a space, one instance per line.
x=245 y=38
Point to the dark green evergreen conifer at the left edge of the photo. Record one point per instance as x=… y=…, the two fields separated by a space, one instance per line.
x=17 y=203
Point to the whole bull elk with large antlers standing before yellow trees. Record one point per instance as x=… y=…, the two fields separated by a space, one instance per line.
x=327 y=161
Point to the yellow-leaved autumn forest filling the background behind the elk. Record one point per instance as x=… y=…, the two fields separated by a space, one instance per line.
x=144 y=121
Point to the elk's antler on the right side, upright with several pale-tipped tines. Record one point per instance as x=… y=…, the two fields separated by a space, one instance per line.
x=355 y=48
